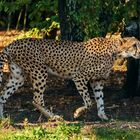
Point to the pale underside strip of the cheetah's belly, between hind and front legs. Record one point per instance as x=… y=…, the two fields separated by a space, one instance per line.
x=52 y=72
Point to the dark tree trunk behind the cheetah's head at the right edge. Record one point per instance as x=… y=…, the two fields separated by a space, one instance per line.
x=133 y=66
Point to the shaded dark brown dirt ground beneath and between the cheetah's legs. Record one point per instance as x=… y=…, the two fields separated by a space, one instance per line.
x=62 y=97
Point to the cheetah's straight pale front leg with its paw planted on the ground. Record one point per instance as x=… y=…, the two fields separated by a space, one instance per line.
x=97 y=87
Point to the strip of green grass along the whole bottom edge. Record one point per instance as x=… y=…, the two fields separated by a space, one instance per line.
x=65 y=131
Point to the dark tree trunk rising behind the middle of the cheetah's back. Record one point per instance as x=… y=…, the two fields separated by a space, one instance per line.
x=70 y=30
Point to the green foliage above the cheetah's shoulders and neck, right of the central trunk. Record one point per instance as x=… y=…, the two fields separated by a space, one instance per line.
x=96 y=18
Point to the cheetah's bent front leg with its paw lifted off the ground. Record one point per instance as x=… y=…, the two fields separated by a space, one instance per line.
x=81 y=85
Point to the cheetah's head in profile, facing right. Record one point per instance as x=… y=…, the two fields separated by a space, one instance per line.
x=130 y=47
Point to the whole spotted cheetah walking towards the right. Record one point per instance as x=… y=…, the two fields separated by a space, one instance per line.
x=90 y=61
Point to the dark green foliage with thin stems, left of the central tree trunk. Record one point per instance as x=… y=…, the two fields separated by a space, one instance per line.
x=29 y=14
